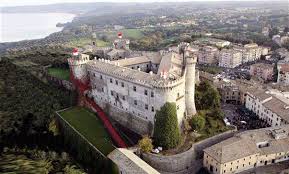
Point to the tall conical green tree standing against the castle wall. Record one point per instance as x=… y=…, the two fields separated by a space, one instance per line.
x=166 y=132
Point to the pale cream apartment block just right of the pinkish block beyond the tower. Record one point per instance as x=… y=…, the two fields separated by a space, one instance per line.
x=230 y=58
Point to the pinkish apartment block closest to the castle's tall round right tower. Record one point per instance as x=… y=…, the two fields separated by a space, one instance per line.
x=208 y=55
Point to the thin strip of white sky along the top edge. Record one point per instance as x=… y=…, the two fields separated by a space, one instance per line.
x=43 y=2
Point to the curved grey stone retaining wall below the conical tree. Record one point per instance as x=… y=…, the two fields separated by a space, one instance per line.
x=187 y=162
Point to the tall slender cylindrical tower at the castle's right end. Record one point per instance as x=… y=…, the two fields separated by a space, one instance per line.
x=191 y=60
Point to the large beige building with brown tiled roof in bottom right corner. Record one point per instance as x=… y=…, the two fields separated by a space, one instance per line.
x=248 y=150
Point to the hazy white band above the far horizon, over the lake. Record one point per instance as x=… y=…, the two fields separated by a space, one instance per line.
x=11 y=3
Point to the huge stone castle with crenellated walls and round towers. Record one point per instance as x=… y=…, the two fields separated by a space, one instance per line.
x=131 y=86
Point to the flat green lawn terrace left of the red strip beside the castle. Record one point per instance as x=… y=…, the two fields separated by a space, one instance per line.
x=87 y=123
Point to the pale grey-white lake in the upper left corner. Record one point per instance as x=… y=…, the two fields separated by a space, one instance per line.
x=27 y=26
